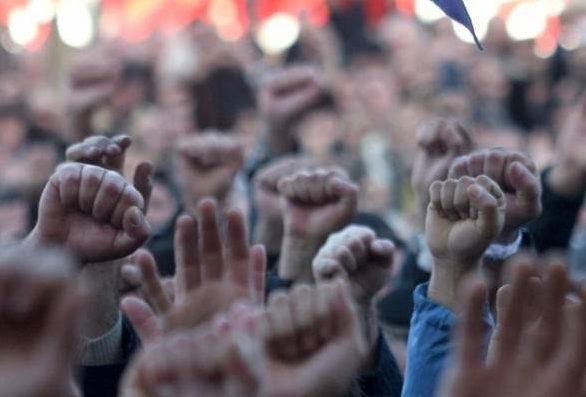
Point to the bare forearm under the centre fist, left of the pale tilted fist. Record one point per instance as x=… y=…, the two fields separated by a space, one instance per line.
x=296 y=258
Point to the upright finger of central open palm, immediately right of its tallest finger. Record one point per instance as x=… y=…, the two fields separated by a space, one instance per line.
x=237 y=249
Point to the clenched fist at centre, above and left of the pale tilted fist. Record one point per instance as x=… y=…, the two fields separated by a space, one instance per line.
x=317 y=203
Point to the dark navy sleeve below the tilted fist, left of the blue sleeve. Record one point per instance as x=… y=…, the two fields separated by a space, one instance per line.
x=385 y=379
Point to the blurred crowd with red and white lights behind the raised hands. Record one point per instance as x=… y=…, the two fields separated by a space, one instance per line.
x=182 y=67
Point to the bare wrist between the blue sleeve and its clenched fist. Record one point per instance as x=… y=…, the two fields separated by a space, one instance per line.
x=446 y=281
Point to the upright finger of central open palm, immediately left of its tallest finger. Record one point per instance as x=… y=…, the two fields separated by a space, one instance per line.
x=187 y=260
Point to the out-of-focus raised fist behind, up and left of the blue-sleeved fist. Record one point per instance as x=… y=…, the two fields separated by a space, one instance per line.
x=439 y=141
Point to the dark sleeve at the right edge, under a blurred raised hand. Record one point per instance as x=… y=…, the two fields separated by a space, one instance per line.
x=553 y=229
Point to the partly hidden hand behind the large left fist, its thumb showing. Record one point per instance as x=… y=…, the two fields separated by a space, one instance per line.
x=110 y=153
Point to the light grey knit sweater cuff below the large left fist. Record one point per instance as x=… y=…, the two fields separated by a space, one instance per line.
x=103 y=350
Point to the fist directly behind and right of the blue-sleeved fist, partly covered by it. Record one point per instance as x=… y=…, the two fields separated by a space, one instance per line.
x=517 y=177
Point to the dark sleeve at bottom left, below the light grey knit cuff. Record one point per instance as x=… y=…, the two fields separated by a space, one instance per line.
x=103 y=380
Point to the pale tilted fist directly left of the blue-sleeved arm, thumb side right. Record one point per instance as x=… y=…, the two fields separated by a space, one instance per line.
x=356 y=254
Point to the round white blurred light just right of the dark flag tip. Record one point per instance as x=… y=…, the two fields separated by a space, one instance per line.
x=527 y=21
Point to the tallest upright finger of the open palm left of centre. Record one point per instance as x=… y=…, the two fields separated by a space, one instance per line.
x=210 y=242
